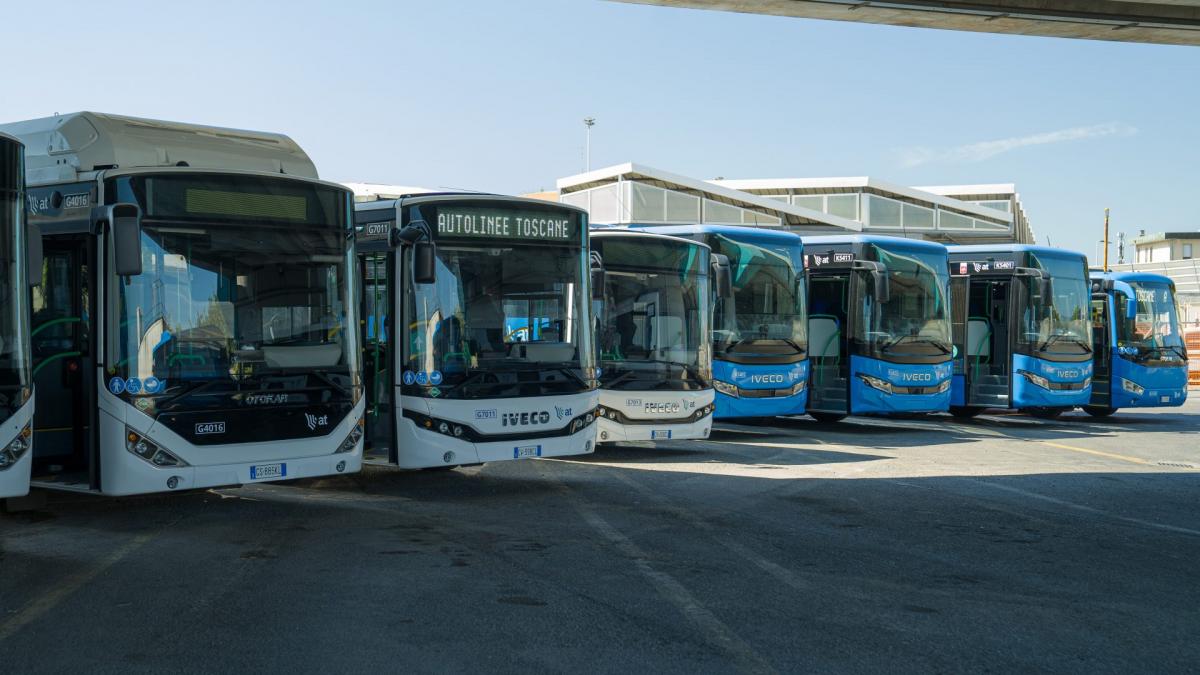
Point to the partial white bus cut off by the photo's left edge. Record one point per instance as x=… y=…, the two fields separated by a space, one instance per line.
x=16 y=384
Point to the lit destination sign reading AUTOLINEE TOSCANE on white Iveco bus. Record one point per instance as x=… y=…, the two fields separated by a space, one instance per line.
x=517 y=225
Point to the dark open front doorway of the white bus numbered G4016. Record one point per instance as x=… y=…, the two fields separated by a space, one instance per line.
x=64 y=366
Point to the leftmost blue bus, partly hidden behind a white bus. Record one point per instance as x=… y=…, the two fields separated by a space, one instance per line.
x=760 y=332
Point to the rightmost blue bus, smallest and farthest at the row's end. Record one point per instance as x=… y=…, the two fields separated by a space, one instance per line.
x=1141 y=360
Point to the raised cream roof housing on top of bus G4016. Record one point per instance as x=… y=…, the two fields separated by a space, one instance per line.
x=75 y=146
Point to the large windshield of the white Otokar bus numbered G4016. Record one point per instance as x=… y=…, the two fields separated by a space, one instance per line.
x=244 y=292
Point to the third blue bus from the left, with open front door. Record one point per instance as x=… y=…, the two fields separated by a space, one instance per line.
x=1022 y=330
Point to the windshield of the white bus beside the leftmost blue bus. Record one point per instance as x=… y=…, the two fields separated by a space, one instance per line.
x=655 y=324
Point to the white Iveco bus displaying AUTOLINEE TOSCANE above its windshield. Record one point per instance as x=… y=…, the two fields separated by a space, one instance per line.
x=478 y=328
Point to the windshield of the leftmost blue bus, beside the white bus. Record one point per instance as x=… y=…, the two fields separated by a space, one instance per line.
x=769 y=303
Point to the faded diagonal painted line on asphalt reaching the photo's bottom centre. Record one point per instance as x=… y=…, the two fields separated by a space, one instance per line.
x=716 y=631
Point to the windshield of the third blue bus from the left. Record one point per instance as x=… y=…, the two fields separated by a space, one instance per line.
x=1057 y=320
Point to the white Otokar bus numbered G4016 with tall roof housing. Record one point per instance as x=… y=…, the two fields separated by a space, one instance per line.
x=196 y=321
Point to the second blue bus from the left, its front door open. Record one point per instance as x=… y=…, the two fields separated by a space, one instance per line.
x=879 y=326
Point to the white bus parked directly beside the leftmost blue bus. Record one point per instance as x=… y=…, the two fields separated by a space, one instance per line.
x=653 y=337
